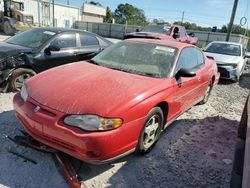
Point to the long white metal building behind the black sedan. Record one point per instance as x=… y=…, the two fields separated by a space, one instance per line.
x=43 y=11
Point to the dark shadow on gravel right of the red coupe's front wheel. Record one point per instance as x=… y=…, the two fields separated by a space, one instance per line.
x=185 y=156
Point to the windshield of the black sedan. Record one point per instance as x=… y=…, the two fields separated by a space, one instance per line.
x=33 y=38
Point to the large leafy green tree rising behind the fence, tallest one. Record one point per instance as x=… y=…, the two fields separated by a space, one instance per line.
x=130 y=14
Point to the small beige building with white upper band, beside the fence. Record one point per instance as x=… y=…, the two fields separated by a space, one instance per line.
x=93 y=13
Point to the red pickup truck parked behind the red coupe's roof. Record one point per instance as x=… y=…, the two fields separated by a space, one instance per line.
x=165 y=32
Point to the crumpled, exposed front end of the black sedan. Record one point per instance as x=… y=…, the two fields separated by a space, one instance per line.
x=7 y=65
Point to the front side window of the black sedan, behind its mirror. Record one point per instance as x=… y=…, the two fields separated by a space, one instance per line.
x=67 y=40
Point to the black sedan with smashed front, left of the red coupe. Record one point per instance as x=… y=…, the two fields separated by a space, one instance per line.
x=33 y=51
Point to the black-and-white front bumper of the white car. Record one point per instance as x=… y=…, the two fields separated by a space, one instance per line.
x=228 y=72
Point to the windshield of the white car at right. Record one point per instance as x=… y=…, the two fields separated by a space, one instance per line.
x=223 y=48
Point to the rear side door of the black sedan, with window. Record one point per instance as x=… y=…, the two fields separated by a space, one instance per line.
x=89 y=46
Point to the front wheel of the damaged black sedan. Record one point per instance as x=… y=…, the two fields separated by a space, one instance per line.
x=18 y=77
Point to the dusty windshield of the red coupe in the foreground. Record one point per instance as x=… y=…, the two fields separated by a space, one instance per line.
x=141 y=58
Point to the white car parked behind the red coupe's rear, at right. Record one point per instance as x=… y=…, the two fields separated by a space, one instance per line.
x=230 y=58
